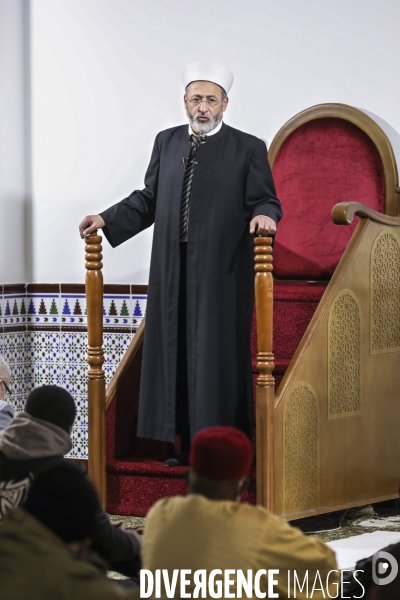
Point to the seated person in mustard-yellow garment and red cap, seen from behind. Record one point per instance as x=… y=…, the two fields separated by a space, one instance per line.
x=209 y=529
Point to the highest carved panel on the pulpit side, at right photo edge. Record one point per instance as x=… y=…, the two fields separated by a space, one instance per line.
x=385 y=294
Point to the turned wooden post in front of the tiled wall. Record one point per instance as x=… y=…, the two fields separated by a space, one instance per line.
x=95 y=358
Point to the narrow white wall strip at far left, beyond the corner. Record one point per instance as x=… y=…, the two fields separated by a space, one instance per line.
x=14 y=184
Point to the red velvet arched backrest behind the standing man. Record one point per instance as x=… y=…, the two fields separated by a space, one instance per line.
x=321 y=163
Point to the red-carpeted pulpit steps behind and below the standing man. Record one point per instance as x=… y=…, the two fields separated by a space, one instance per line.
x=136 y=477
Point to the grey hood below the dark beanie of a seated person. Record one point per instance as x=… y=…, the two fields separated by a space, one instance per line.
x=27 y=437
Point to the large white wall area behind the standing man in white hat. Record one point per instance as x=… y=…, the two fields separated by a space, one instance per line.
x=106 y=79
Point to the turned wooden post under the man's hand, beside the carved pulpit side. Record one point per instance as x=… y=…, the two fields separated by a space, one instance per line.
x=265 y=391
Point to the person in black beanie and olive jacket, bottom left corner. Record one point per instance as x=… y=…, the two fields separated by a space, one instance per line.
x=44 y=545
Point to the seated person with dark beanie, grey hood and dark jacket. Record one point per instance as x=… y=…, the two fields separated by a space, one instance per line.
x=39 y=437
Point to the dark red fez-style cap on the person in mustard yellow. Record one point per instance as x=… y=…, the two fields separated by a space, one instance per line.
x=221 y=453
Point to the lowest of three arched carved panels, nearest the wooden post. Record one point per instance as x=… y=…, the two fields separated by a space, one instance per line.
x=301 y=450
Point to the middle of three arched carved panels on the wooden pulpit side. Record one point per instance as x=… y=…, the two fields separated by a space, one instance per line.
x=344 y=356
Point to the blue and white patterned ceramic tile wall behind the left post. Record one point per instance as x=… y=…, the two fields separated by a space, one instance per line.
x=43 y=337
